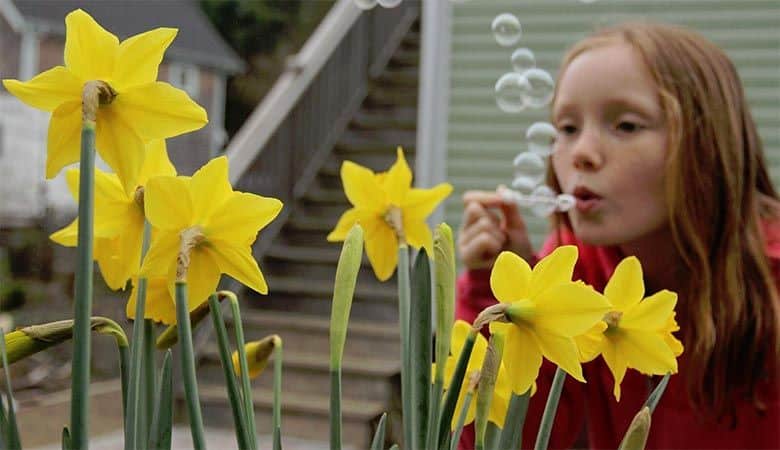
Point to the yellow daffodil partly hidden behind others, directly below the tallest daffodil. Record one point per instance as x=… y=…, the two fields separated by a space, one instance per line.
x=119 y=217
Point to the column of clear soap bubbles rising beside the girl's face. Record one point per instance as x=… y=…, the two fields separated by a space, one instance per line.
x=528 y=86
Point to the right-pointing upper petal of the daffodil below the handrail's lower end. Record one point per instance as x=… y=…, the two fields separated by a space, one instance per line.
x=242 y=216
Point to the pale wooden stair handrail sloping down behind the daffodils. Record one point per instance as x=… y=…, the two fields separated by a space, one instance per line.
x=300 y=71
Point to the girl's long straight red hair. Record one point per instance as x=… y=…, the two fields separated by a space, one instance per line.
x=718 y=193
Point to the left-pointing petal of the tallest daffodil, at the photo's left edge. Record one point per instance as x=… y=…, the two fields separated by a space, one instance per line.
x=47 y=90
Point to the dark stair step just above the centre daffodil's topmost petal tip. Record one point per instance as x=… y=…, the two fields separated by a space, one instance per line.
x=376 y=141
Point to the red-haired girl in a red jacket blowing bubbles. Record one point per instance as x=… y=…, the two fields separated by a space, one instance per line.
x=656 y=142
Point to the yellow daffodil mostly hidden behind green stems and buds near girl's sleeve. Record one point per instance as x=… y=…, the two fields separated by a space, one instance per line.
x=502 y=390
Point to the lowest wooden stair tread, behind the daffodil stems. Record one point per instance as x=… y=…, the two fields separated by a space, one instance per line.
x=351 y=409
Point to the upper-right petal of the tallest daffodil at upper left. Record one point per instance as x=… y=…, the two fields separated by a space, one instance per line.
x=140 y=56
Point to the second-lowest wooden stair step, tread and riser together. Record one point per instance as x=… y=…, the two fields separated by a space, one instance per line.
x=363 y=378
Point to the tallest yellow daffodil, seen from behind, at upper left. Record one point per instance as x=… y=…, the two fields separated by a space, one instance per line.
x=138 y=110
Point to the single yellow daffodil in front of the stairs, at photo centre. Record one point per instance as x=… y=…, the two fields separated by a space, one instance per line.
x=390 y=211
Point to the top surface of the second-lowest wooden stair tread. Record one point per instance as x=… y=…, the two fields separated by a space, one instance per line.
x=377 y=367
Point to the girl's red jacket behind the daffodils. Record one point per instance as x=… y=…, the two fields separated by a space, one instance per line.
x=675 y=424
